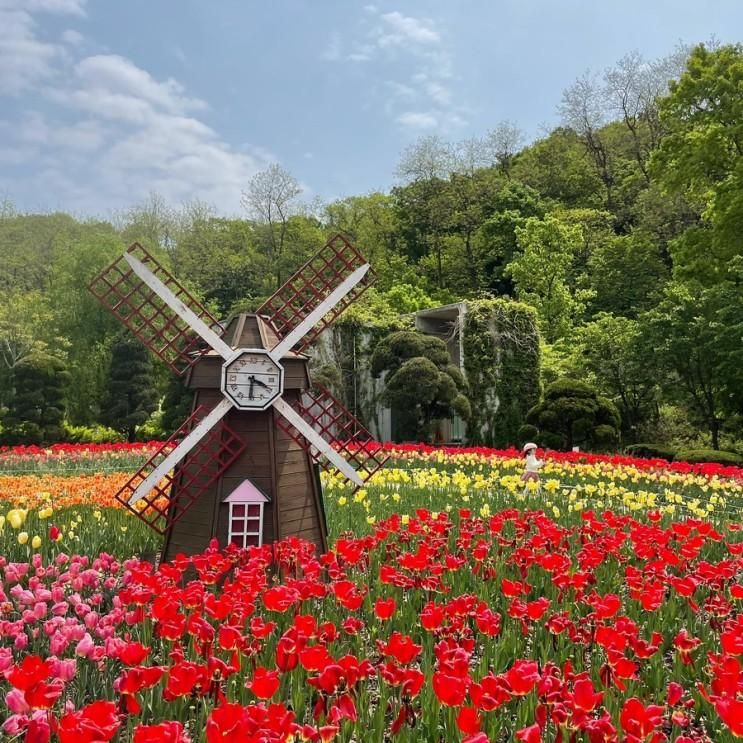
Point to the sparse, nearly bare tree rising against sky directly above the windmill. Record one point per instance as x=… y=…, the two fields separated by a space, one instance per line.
x=271 y=201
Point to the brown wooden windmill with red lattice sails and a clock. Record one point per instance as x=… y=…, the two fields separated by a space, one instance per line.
x=242 y=468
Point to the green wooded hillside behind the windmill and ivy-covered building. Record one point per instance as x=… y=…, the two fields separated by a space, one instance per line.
x=622 y=228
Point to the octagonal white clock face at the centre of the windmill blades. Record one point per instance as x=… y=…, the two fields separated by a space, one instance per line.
x=252 y=380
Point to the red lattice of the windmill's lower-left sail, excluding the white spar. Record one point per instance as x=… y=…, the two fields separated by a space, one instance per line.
x=190 y=478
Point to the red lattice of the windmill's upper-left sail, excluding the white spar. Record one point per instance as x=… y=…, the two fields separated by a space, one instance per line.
x=149 y=318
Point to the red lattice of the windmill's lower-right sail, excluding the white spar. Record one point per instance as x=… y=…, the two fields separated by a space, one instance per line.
x=340 y=428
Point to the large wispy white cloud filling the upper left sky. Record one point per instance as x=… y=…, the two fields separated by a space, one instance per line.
x=111 y=132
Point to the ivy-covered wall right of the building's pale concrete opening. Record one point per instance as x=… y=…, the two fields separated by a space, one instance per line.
x=502 y=364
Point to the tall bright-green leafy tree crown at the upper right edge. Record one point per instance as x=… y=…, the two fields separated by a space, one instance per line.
x=701 y=157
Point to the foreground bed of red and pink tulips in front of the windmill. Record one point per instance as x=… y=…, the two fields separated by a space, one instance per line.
x=447 y=627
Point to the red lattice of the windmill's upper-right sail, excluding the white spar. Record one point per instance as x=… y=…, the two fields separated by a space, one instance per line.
x=311 y=284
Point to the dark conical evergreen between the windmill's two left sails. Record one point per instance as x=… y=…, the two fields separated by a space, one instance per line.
x=130 y=396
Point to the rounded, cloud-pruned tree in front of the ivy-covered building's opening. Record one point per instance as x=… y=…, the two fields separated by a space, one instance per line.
x=421 y=383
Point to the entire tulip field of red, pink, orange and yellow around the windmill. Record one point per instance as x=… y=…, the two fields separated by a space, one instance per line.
x=603 y=604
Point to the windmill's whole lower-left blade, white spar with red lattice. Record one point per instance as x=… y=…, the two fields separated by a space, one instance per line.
x=204 y=447
